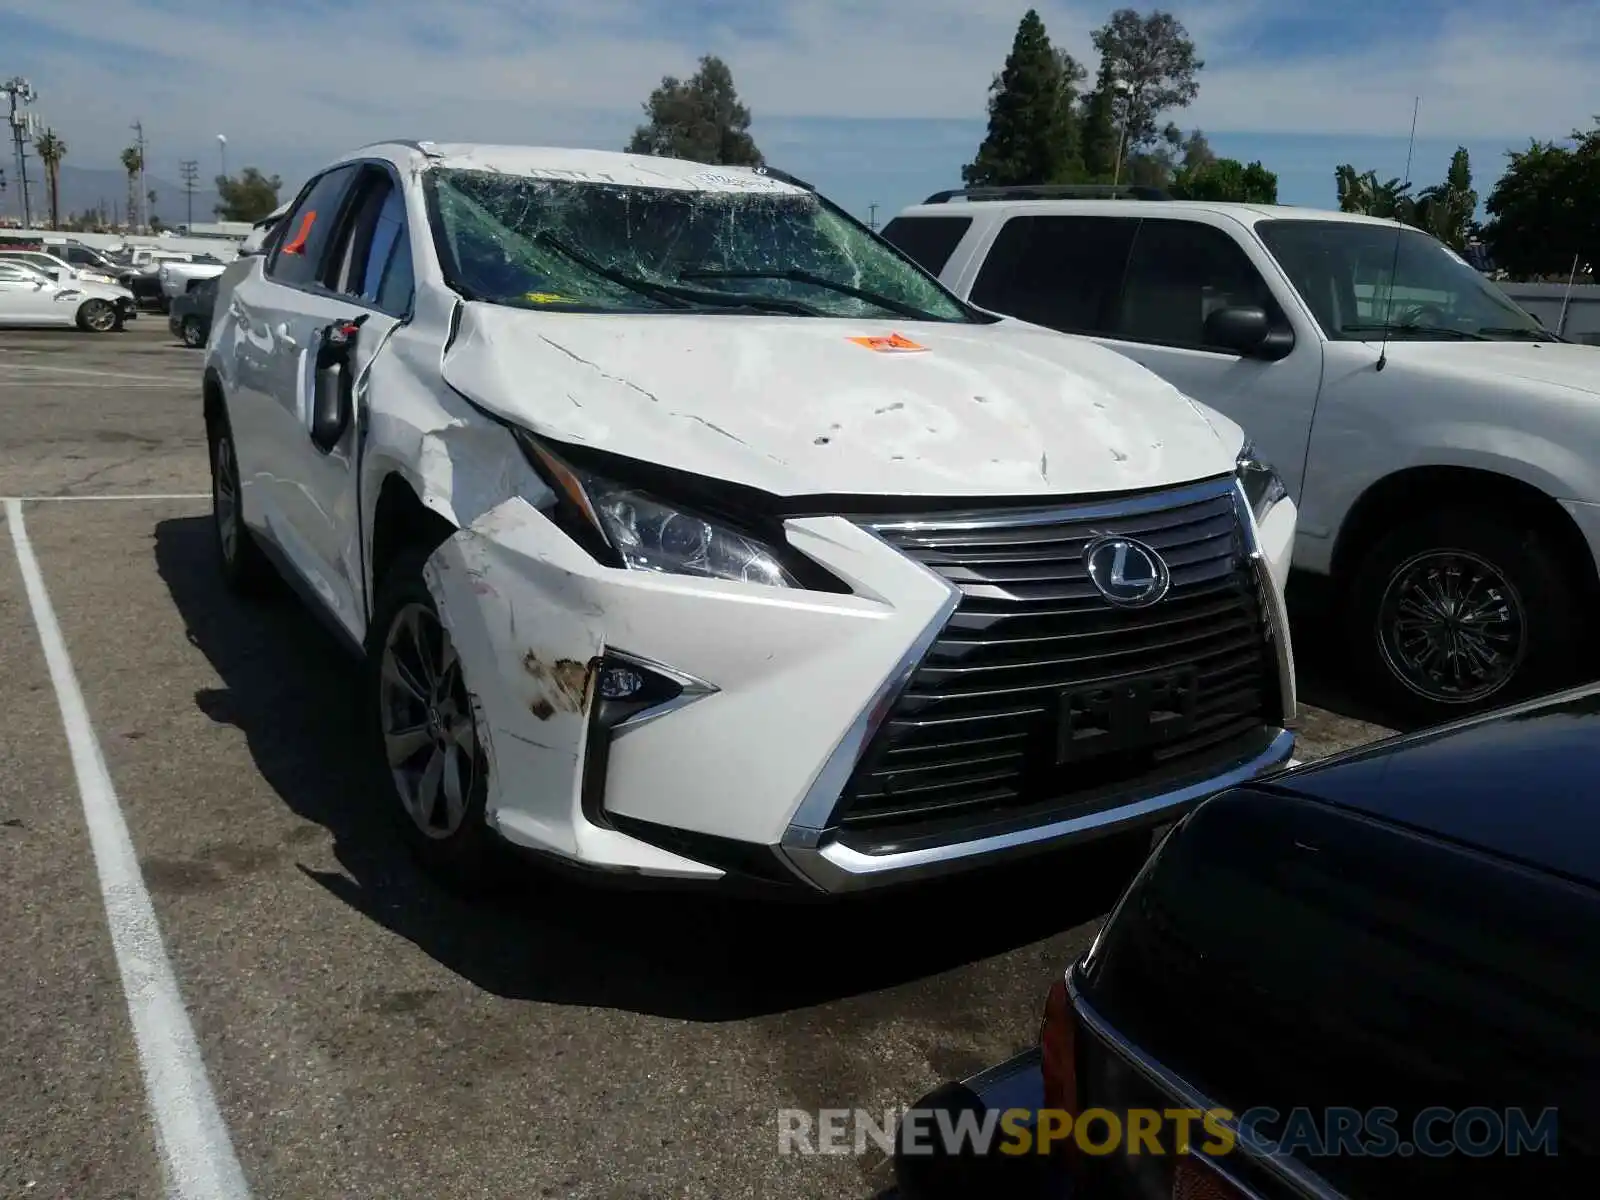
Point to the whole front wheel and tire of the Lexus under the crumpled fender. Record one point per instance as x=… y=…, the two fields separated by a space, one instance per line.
x=425 y=732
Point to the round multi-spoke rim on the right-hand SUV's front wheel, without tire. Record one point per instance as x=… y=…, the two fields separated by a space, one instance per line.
x=1452 y=628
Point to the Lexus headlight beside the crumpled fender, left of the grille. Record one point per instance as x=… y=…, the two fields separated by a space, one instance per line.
x=650 y=535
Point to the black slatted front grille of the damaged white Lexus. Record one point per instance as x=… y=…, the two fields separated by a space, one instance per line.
x=980 y=732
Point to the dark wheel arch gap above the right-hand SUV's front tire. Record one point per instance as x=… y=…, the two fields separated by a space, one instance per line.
x=1439 y=487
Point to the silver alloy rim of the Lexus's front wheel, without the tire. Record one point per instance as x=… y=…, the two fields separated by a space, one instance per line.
x=426 y=721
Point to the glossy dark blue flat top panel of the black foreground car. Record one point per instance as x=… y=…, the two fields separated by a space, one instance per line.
x=1518 y=783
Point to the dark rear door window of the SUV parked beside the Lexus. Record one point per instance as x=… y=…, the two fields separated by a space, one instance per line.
x=1063 y=273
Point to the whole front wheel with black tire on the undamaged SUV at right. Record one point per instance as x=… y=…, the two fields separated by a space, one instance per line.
x=1460 y=612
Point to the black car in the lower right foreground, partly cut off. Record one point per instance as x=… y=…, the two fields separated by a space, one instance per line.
x=1374 y=977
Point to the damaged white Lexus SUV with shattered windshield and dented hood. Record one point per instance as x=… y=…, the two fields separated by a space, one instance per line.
x=690 y=530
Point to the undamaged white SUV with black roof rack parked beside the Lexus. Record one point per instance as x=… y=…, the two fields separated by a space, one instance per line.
x=1444 y=449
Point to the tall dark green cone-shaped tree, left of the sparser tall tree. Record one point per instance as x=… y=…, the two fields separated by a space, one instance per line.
x=1030 y=134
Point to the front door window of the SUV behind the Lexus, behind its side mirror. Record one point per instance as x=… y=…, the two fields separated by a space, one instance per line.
x=1180 y=274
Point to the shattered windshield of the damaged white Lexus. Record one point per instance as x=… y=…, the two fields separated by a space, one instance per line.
x=570 y=246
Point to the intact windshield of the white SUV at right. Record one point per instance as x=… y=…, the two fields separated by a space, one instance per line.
x=1362 y=279
